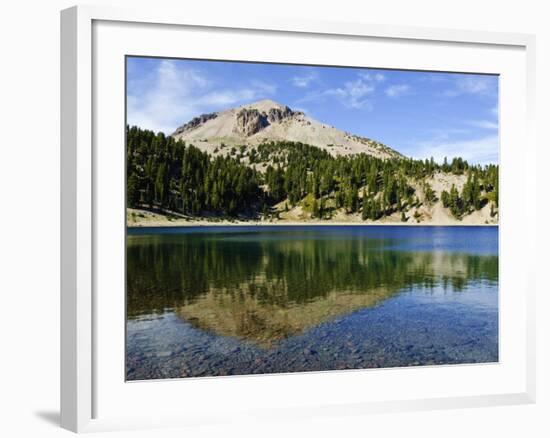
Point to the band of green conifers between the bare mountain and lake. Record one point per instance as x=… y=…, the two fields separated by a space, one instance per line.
x=168 y=175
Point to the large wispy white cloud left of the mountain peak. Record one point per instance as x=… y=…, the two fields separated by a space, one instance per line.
x=173 y=94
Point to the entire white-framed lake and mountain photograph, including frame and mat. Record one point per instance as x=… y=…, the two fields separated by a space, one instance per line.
x=288 y=218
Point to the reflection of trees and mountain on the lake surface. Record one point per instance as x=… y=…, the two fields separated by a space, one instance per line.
x=266 y=285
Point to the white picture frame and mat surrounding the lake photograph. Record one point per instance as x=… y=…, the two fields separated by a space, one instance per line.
x=85 y=174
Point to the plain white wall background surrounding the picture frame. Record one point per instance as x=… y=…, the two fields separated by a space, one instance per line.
x=29 y=216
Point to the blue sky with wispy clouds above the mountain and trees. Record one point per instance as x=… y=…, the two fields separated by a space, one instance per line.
x=420 y=114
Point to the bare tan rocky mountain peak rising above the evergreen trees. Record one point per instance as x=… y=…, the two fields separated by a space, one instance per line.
x=265 y=121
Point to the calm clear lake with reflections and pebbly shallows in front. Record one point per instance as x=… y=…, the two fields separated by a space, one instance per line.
x=213 y=301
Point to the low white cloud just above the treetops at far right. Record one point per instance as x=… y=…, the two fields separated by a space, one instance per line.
x=482 y=150
